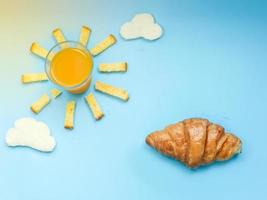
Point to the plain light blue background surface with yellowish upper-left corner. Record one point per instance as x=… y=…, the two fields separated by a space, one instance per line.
x=211 y=62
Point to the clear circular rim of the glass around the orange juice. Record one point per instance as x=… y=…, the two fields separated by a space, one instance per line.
x=47 y=63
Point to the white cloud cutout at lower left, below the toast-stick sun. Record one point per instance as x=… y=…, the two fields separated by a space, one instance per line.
x=31 y=133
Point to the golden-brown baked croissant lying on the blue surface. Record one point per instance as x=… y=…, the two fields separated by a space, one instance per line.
x=195 y=142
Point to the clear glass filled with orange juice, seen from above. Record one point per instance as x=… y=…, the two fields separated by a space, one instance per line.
x=69 y=65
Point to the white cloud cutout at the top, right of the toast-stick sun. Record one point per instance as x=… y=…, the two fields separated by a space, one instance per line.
x=142 y=26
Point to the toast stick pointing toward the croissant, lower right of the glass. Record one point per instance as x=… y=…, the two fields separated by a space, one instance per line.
x=111 y=90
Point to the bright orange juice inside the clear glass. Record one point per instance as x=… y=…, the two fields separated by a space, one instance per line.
x=71 y=68
